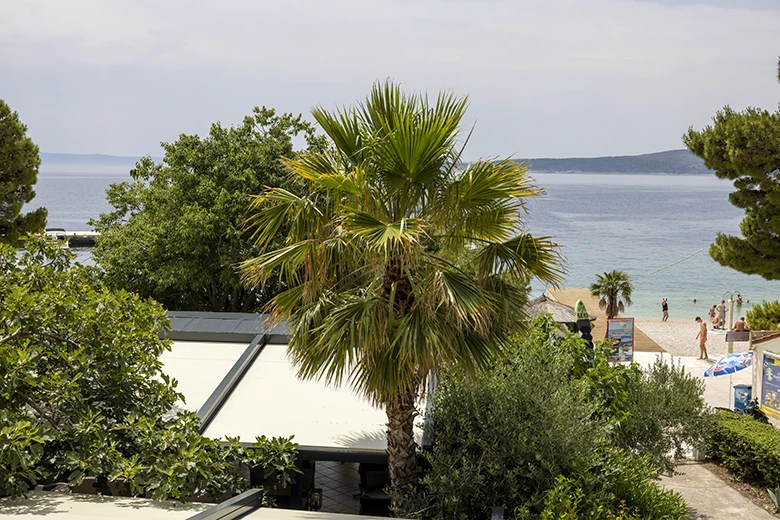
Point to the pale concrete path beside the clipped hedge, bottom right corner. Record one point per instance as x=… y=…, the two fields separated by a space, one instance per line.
x=708 y=497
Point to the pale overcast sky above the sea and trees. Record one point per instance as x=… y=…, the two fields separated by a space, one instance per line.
x=545 y=78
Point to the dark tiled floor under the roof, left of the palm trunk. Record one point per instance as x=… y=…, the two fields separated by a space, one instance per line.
x=340 y=483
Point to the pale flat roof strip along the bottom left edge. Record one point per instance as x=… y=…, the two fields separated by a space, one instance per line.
x=69 y=506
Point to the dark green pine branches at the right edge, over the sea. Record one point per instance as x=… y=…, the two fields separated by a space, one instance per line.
x=745 y=147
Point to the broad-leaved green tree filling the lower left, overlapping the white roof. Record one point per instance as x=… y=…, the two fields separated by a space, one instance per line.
x=82 y=393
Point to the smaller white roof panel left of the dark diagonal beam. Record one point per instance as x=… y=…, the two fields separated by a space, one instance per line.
x=199 y=367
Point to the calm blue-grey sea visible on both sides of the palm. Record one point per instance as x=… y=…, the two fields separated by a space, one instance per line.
x=657 y=228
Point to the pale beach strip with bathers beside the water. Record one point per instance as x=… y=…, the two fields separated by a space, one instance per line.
x=679 y=338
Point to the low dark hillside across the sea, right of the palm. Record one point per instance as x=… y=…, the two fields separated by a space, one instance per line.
x=669 y=162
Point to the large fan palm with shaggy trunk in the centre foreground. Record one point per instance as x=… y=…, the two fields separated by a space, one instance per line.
x=373 y=257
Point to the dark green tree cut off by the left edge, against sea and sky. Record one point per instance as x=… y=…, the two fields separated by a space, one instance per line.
x=19 y=162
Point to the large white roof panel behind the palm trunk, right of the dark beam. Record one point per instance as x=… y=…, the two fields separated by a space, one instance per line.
x=270 y=400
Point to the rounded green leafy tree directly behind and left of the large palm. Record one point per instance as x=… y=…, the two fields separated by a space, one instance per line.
x=178 y=229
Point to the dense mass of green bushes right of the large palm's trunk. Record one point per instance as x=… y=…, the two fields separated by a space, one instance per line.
x=556 y=432
